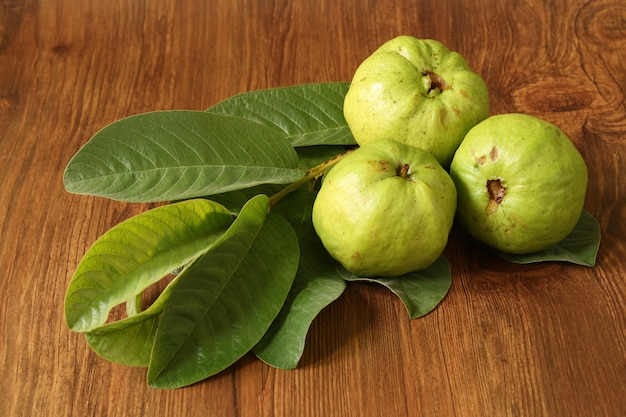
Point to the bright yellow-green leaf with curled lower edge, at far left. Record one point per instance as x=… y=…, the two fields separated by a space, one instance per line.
x=138 y=252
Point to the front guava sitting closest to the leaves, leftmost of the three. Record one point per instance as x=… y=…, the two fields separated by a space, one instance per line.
x=385 y=210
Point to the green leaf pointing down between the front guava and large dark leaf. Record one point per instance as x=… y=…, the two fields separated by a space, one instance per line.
x=317 y=284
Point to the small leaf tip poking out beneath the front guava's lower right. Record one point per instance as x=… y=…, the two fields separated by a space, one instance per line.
x=420 y=291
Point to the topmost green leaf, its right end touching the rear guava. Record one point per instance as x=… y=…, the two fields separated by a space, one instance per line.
x=308 y=114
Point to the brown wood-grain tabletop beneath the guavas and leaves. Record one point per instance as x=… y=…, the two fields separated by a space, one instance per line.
x=537 y=340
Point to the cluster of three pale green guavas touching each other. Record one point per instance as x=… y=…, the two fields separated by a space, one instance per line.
x=429 y=152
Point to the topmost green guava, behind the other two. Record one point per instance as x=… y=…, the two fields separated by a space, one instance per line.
x=416 y=91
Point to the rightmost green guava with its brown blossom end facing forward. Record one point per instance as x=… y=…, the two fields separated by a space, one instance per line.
x=521 y=183
